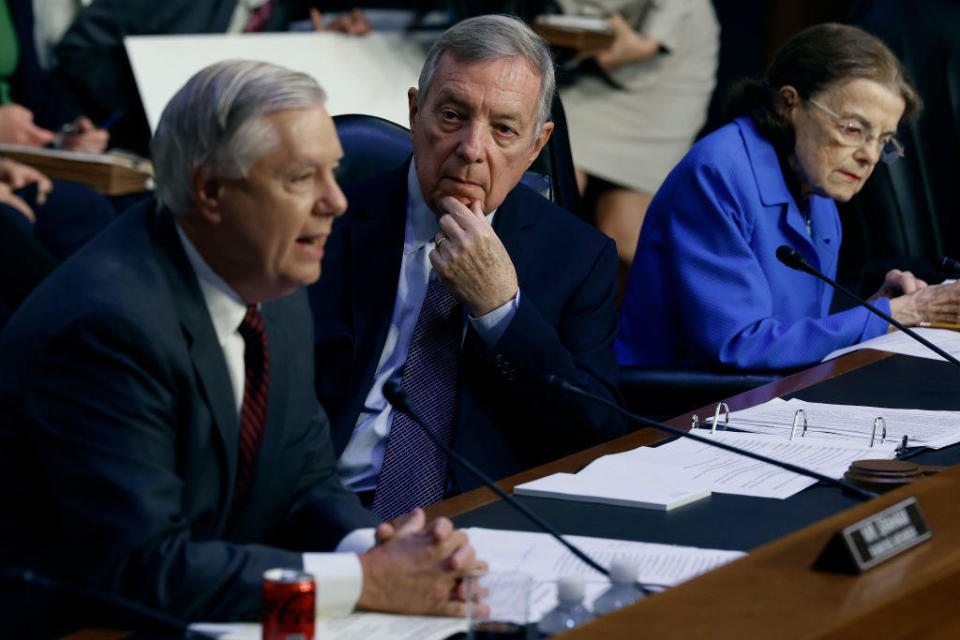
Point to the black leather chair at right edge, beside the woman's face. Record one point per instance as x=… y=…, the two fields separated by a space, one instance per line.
x=907 y=212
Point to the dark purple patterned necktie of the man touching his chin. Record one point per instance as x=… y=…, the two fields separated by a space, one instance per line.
x=414 y=471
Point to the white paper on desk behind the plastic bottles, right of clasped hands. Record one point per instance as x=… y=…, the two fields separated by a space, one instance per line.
x=539 y=555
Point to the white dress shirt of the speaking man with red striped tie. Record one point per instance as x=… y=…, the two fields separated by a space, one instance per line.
x=339 y=575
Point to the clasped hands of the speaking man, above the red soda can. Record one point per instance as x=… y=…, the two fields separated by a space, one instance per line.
x=416 y=568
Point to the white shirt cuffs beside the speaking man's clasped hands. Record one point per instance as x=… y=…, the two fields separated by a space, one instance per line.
x=338 y=575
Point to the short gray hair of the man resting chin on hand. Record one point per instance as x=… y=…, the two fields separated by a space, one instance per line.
x=493 y=37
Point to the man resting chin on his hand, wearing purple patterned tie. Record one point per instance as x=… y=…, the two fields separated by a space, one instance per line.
x=465 y=286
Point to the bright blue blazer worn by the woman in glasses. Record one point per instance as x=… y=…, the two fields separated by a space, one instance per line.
x=706 y=287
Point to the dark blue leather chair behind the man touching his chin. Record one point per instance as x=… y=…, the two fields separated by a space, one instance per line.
x=372 y=145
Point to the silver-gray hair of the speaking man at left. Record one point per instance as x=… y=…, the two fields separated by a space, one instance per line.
x=216 y=121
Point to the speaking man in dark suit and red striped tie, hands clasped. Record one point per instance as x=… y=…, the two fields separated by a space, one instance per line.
x=161 y=438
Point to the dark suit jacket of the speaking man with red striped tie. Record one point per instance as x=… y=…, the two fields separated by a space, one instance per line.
x=118 y=447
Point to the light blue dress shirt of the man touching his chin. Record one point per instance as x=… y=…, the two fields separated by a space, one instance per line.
x=362 y=458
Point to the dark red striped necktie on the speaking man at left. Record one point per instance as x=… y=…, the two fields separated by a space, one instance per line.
x=256 y=386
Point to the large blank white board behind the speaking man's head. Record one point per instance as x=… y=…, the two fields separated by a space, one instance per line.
x=368 y=75
